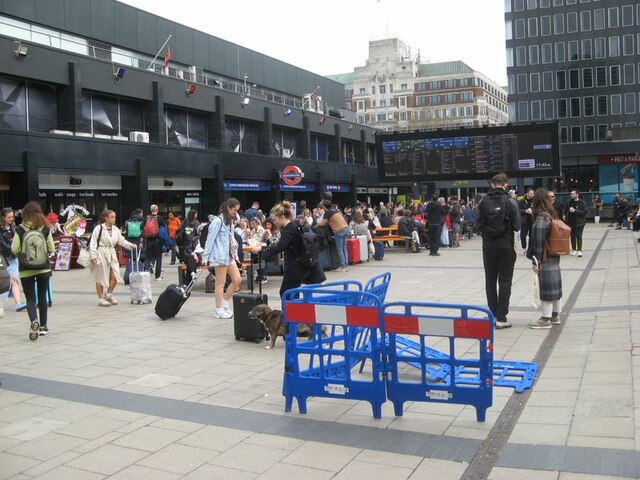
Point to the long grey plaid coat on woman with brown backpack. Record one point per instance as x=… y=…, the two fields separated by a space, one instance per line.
x=550 y=275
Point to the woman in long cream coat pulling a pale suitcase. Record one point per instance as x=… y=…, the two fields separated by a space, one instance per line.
x=104 y=267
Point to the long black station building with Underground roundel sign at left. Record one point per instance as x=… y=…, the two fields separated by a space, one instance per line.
x=89 y=118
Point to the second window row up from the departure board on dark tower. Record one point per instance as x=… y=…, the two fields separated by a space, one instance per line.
x=614 y=75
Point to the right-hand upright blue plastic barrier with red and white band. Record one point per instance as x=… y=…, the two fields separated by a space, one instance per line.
x=422 y=320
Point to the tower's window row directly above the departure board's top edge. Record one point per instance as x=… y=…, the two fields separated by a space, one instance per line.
x=575 y=107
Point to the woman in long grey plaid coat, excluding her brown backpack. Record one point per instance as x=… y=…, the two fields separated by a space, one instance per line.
x=548 y=268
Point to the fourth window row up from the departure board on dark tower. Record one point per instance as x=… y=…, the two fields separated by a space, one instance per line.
x=572 y=22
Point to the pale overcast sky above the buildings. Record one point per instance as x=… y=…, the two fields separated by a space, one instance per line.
x=332 y=36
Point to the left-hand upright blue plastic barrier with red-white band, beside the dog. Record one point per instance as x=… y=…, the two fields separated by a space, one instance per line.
x=318 y=368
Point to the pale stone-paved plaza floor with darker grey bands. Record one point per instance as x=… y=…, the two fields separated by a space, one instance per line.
x=116 y=393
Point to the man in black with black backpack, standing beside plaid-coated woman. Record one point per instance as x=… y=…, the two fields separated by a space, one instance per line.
x=498 y=218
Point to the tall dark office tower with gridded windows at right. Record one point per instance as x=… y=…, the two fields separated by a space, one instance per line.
x=578 y=62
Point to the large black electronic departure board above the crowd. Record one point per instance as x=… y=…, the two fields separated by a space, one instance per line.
x=470 y=153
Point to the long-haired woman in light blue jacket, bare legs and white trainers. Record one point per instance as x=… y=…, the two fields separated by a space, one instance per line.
x=221 y=253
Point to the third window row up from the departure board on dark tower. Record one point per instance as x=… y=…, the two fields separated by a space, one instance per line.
x=575 y=50
